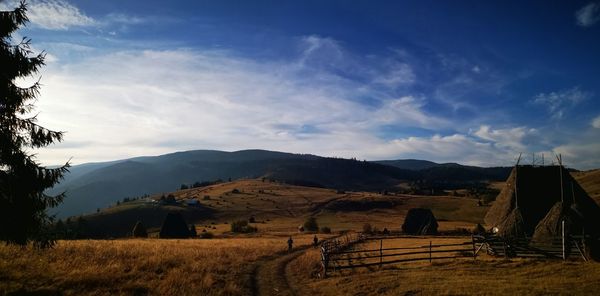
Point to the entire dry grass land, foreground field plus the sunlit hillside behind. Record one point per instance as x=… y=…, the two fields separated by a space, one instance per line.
x=258 y=264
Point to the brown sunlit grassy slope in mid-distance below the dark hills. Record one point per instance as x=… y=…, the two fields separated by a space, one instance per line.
x=281 y=208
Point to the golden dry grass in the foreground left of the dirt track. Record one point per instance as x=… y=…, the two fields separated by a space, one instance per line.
x=158 y=267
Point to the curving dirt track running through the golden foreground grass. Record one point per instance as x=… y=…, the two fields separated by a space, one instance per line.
x=269 y=275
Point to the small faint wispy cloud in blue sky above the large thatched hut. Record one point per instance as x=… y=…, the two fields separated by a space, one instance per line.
x=557 y=103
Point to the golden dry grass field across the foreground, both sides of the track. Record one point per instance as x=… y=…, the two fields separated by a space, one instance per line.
x=226 y=266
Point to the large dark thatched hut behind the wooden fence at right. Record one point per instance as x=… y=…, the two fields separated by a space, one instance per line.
x=536 y=199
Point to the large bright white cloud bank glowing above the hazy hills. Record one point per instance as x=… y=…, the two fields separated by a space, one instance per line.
x=158 y=101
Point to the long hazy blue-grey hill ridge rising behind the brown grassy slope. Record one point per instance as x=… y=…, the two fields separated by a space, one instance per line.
x=93 y=186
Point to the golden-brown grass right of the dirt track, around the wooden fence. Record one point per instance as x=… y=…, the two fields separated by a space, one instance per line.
x=484 y=276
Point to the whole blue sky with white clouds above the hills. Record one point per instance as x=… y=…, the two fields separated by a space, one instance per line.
x=473 y=82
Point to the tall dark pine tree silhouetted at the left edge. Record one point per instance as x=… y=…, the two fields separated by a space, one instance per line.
x=23 y=203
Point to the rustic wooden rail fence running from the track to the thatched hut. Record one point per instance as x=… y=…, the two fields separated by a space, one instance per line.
x=342 y=253
